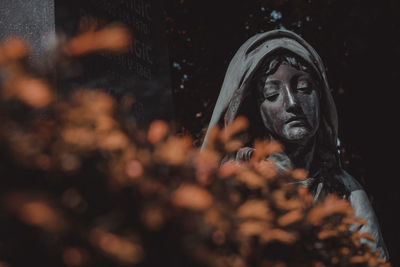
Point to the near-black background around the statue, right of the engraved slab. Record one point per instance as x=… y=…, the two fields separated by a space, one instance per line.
x=357 y=41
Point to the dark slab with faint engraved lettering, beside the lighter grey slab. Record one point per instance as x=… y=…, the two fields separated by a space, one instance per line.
x=143 y=71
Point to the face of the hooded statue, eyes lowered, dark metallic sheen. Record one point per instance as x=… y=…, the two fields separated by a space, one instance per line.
x=290 y=109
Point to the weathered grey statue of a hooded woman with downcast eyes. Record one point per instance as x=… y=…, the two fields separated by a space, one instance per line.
x=278 y=81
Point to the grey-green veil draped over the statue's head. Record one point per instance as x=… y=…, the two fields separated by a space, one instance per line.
x=247 y=60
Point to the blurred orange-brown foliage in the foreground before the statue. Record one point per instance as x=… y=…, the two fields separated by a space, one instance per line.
x=81 y=187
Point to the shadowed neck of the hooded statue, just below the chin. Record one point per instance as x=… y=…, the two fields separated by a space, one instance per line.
x=301 y=155
